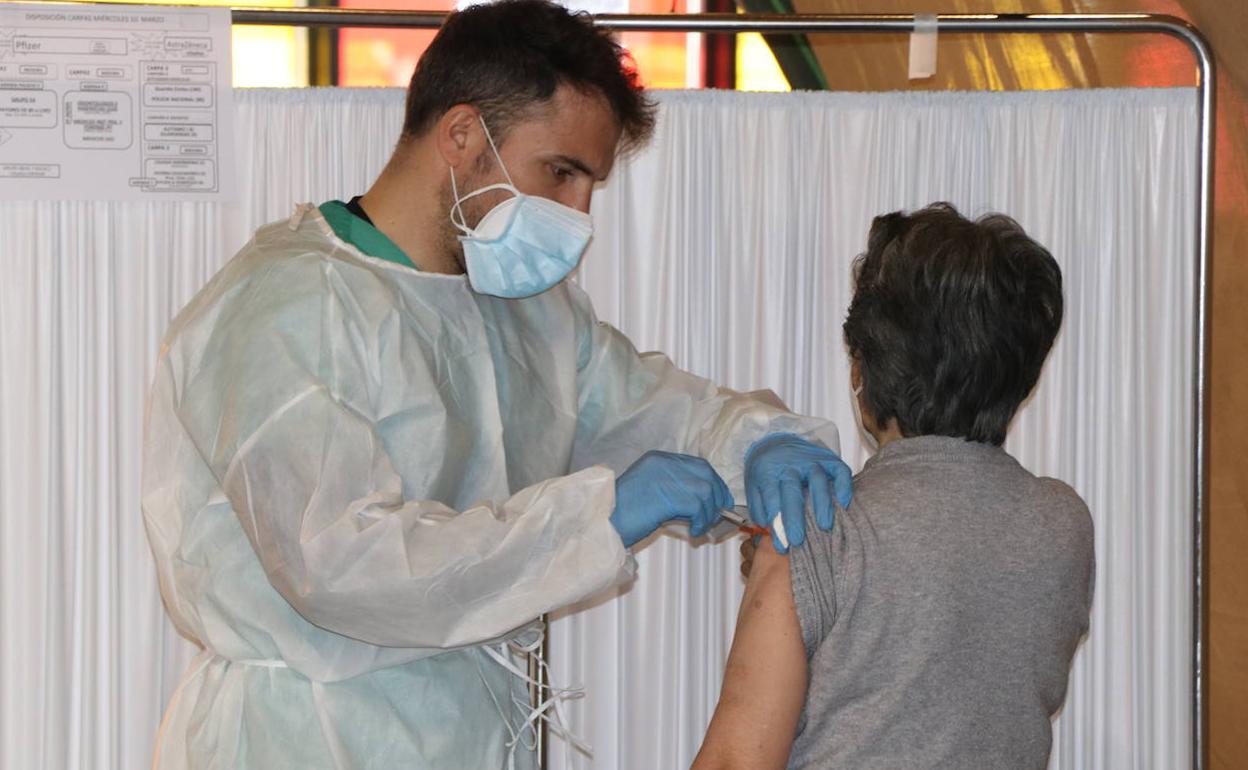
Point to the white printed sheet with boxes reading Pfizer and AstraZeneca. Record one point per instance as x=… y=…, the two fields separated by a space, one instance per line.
x=115 y=103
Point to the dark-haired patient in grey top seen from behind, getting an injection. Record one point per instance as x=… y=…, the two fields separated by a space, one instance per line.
x=934 y=626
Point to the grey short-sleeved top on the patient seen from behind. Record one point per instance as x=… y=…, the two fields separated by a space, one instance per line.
x=942 y=612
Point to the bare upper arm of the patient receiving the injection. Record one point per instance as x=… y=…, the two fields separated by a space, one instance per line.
x=766 y=678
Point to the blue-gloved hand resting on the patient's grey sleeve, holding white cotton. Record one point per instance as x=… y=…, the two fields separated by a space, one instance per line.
x=779 y=470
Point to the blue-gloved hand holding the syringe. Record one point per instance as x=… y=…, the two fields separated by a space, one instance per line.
x=665 y=486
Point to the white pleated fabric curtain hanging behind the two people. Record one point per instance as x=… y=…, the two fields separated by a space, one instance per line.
x=728 y=245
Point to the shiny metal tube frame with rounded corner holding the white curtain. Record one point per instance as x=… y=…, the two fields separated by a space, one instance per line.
x=734 y=24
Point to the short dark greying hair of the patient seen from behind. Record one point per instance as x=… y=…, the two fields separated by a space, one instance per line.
x=952 y=321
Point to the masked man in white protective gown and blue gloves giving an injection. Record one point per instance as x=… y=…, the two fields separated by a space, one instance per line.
x=389 y=435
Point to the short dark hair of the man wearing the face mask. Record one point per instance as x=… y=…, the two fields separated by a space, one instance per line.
x=509 y=58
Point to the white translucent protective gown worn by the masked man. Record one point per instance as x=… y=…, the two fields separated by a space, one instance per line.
x=359 y=479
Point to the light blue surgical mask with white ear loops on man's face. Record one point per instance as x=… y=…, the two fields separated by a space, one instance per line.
x=525 y=245
